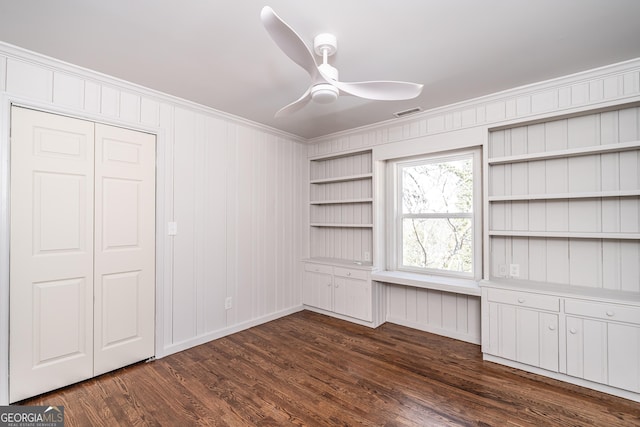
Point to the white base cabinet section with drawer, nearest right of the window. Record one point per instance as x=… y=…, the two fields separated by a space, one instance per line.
x=523 y=327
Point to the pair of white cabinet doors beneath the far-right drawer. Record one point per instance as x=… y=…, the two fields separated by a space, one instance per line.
x=604 y=352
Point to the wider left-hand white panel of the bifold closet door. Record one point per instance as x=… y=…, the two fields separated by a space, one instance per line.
x=51 y=263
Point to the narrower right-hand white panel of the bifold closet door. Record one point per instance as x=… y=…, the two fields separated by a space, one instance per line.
x=124 y=247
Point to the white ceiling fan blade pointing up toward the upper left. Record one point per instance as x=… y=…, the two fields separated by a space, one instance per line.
x=289 y=41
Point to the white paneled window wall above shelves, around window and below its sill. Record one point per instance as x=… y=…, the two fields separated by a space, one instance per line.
x=458 y=126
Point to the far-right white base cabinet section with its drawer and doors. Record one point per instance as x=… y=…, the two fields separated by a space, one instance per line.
x=603 y=343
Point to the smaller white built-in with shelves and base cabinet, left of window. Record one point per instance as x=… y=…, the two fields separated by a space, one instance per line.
x=337 y=277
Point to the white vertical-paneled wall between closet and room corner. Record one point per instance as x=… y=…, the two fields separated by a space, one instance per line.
x=238 y=227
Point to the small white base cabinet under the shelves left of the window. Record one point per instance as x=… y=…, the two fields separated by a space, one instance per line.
x=339 y=290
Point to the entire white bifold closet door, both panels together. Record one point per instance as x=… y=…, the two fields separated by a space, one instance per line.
x=82 y=250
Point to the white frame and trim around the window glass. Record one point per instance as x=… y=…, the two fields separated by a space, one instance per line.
x=393 y=201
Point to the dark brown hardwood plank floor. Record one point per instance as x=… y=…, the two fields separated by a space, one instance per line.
x=313 y=370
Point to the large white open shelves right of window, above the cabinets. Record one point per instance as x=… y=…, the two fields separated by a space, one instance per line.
x=564 y=201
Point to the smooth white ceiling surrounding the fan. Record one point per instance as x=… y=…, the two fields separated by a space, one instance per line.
x=218 y=54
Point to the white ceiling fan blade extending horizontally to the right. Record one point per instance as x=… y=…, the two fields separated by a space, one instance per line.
x=380 y=90
